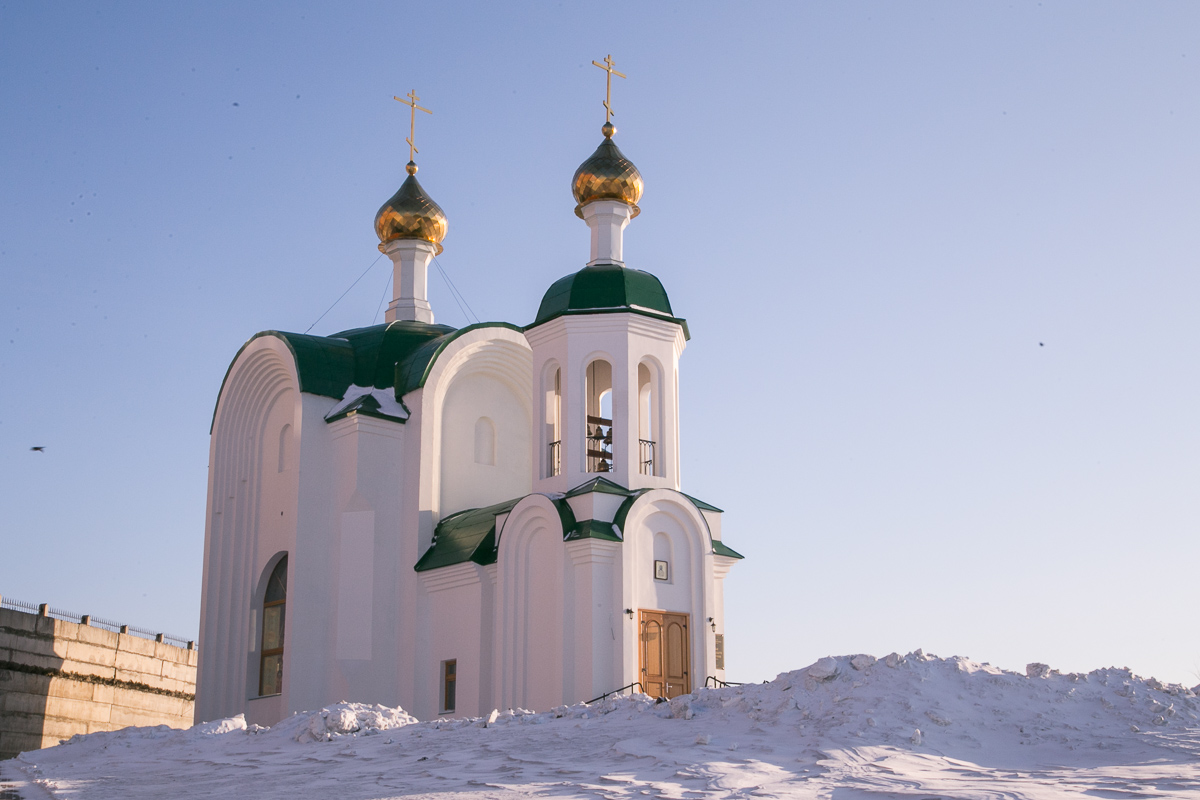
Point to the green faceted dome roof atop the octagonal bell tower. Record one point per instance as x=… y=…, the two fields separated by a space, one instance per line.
x=607 y=288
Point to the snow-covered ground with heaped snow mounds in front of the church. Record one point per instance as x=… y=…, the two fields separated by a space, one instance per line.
x=845 y=729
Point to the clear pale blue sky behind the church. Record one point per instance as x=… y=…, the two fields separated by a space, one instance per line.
x=940 y=263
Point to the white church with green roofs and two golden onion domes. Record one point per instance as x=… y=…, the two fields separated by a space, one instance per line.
x=458 y=521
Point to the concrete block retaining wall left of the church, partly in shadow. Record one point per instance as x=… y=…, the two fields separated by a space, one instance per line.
x=58 y=679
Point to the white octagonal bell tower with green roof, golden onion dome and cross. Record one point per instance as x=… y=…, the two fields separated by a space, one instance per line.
x=607 y=347
